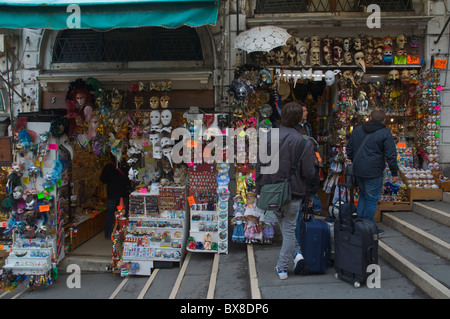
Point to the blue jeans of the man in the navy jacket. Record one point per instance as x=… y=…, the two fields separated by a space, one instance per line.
x=369 y=193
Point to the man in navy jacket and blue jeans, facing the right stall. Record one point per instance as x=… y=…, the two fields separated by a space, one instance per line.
x=369 y=167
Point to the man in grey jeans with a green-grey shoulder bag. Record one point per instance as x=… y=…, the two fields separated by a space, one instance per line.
x=304 y=183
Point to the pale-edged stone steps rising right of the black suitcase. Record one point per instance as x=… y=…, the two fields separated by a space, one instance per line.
x=417 y=244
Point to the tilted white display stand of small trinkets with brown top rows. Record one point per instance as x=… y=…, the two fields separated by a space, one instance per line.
x=156 y=229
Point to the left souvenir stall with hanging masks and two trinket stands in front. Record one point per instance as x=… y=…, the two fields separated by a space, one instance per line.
x=179 y=196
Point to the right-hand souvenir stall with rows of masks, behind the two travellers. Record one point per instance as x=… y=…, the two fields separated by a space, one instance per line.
x=340 y=80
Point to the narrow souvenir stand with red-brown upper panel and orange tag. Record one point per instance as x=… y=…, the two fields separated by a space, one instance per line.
x=208 y=201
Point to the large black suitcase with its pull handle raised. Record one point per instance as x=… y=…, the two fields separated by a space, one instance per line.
x=355 y=244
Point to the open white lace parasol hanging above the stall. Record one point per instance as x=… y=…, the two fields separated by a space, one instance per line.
x=263 y=38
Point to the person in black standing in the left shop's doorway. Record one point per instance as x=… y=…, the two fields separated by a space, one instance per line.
x=118 y=186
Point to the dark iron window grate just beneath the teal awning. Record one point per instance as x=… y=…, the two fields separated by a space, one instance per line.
x=125 y=45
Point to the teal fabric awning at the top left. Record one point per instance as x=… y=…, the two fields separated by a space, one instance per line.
x=103 y=15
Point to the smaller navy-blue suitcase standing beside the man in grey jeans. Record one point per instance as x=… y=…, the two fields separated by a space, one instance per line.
x=315 y=243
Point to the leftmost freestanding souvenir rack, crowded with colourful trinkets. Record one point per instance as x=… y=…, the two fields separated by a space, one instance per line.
x=32 y=202
